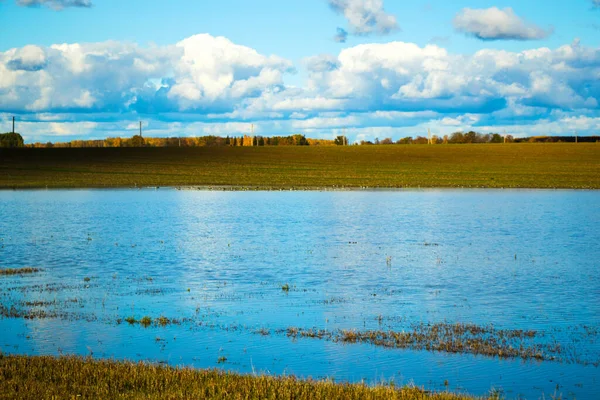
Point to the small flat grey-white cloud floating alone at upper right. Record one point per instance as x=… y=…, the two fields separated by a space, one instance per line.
x=496 y=24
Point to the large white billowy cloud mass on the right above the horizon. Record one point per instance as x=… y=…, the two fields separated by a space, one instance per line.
x=408 y=77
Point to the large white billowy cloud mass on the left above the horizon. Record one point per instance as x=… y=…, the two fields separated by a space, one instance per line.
x=201 y=72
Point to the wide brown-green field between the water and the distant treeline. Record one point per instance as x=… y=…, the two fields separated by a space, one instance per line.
x=557 y=165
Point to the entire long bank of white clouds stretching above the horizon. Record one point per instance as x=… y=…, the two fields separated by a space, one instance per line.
x=212 y=84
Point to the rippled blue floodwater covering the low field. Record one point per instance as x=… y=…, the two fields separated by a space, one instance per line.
x=353 y=260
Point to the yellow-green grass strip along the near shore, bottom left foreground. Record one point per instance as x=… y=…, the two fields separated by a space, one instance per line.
x=26 y=377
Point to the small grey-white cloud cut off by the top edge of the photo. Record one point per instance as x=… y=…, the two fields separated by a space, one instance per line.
x=364 y=17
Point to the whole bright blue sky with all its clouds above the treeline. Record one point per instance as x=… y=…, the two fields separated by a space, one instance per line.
x=89 y=69
